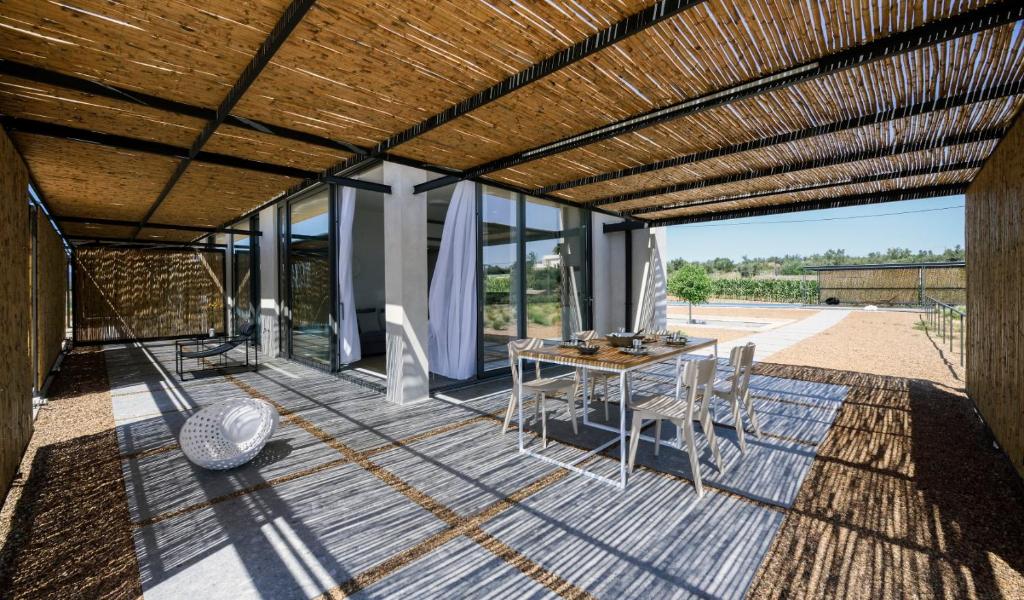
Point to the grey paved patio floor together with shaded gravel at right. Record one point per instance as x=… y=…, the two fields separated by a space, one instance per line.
x=357 y=497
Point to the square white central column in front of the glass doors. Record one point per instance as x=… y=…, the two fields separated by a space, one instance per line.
x=406 y=285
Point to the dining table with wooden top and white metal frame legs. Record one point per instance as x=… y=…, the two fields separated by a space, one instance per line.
x=612 y=360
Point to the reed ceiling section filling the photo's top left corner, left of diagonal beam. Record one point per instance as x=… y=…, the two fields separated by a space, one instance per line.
x=185 y=51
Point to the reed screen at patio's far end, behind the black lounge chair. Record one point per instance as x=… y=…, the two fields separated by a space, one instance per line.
x=136 y=294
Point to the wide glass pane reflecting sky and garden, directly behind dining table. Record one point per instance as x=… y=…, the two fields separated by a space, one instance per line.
x=554 y=270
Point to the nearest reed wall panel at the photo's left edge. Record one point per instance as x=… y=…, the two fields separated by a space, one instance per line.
x=16 y=368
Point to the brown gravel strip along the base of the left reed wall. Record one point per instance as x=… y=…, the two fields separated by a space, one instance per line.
x=65 y=528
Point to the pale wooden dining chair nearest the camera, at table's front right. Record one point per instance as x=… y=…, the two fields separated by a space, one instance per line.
x=695 y=381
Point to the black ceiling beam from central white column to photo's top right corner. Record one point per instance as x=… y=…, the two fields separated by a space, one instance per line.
x=969 y=23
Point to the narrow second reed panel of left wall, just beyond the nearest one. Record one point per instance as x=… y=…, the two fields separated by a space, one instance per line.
x=52 y=296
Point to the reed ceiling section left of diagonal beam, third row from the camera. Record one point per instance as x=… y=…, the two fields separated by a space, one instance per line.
x=87 y=180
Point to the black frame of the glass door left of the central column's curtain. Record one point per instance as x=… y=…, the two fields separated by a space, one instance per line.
x=286 y=267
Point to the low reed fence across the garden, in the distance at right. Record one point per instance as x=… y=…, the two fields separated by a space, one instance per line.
x=893 y=286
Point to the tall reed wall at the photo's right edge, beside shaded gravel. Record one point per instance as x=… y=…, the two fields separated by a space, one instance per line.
x=996 y=290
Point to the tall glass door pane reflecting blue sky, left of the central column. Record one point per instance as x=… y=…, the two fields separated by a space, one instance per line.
x=310 y=270
